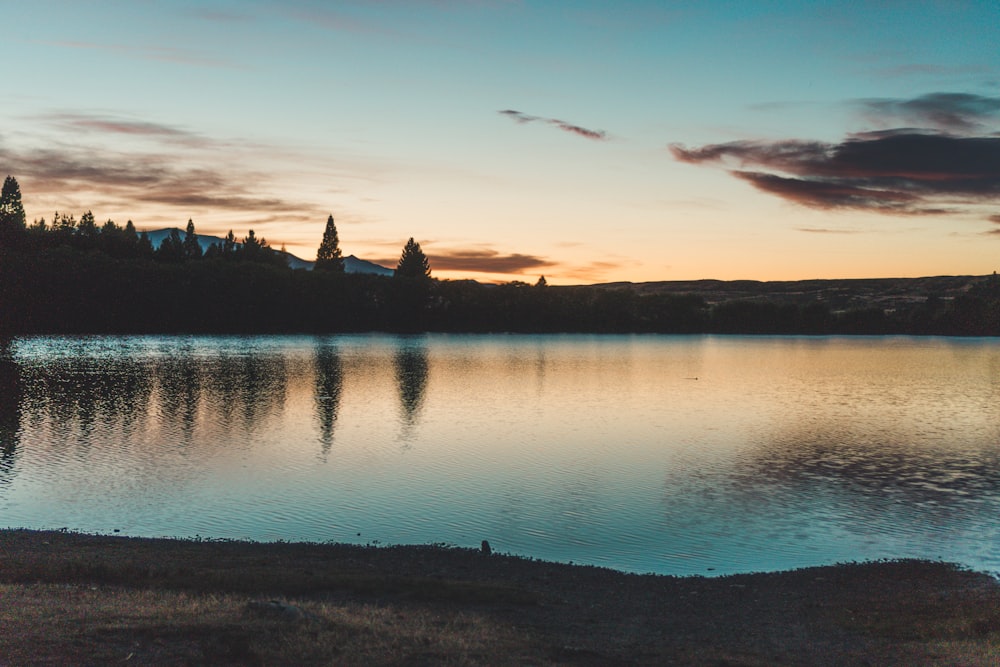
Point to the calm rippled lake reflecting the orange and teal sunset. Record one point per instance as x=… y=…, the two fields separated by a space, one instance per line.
x=679 y=455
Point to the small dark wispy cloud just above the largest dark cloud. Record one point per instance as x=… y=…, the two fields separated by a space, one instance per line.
x=950 y=112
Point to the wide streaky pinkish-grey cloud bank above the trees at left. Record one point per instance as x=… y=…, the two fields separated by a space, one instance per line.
x=129 y=163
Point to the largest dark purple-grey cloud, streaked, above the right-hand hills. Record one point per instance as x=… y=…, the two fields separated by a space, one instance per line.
x=894 y=171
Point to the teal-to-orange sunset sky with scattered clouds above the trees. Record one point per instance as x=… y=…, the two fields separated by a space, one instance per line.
x=588 y=142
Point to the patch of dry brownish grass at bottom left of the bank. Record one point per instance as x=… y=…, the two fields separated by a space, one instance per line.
x=73 y=624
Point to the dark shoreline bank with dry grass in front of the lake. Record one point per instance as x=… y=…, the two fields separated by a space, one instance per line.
x=68 y=598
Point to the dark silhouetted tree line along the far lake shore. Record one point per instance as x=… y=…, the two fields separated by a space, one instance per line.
x=75 y=276
